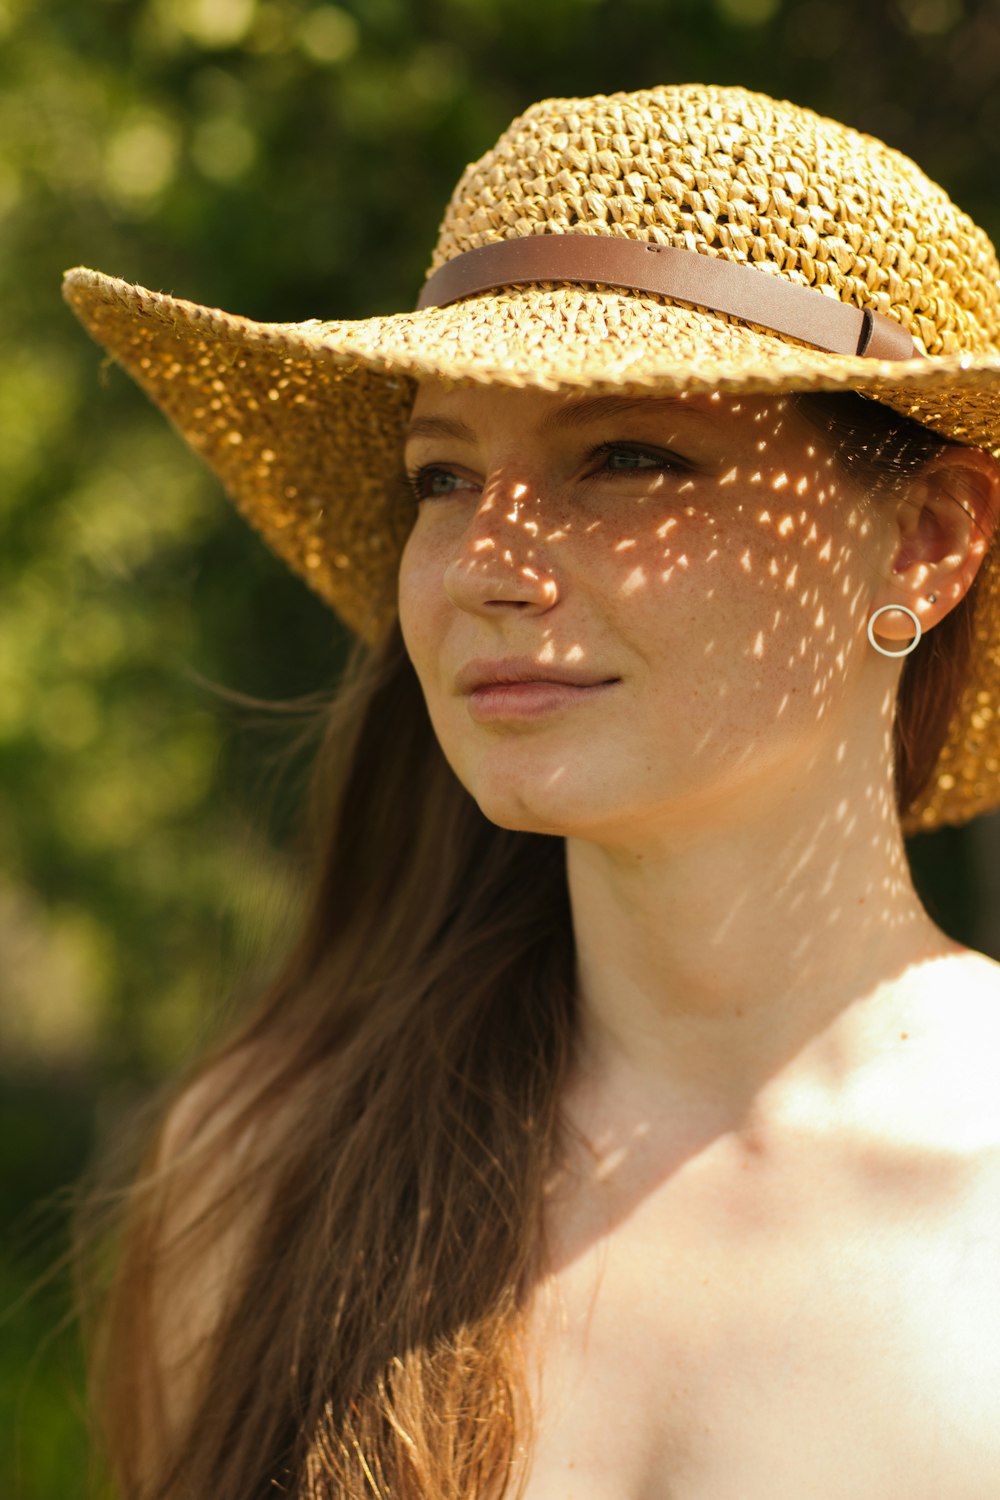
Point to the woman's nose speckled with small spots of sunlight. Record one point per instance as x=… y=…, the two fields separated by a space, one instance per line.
x=501 y=559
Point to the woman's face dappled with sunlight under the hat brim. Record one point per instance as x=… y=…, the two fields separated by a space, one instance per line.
x=702 y=562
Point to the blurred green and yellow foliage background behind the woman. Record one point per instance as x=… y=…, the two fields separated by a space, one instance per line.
x=286 y=160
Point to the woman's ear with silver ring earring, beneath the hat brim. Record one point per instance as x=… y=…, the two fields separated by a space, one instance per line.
x=947 y=517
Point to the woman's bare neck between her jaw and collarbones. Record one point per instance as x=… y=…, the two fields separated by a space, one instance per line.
x=723 y=967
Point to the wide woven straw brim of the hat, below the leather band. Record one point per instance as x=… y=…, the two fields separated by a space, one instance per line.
x=304 y=422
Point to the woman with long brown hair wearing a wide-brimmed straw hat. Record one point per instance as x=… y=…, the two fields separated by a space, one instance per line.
x=621 y=1124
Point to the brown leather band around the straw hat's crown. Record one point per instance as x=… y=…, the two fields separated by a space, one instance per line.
x=668 y=271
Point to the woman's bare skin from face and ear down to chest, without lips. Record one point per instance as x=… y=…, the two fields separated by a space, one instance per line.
x=785 y=1178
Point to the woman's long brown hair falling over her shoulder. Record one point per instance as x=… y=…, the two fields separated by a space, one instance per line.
x=377 y=1135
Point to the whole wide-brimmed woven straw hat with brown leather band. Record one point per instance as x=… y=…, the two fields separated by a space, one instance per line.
x=686 y=238
